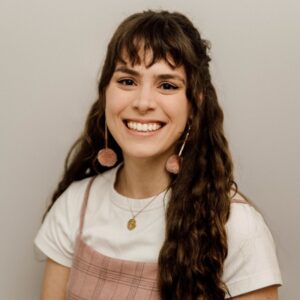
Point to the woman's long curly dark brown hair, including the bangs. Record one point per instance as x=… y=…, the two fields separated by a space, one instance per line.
x=192 y=257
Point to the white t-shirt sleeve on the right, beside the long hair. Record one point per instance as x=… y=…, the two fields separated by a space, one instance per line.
x=251 y=263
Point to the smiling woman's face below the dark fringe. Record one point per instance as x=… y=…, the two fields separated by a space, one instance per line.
x=147 y=108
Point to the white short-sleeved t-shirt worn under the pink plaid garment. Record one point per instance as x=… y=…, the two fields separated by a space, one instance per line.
x=251 y=262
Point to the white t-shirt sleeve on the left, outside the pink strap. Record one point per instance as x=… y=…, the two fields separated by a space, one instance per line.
x=56 y=237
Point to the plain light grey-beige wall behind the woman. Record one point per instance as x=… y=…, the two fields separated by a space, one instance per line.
x=51 y=53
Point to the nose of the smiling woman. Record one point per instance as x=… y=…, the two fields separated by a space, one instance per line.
x=145 y=99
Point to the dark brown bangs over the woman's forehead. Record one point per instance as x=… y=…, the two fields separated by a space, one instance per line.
x=162 y=38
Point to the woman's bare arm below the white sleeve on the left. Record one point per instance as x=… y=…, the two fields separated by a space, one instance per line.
x=55 y=281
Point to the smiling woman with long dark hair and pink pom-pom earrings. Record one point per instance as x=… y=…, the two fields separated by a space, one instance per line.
x=148 y=207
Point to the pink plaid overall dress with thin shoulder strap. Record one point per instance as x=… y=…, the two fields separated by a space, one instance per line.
x=95 y=276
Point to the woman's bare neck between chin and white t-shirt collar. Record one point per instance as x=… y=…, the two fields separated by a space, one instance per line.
x=139 y=178
